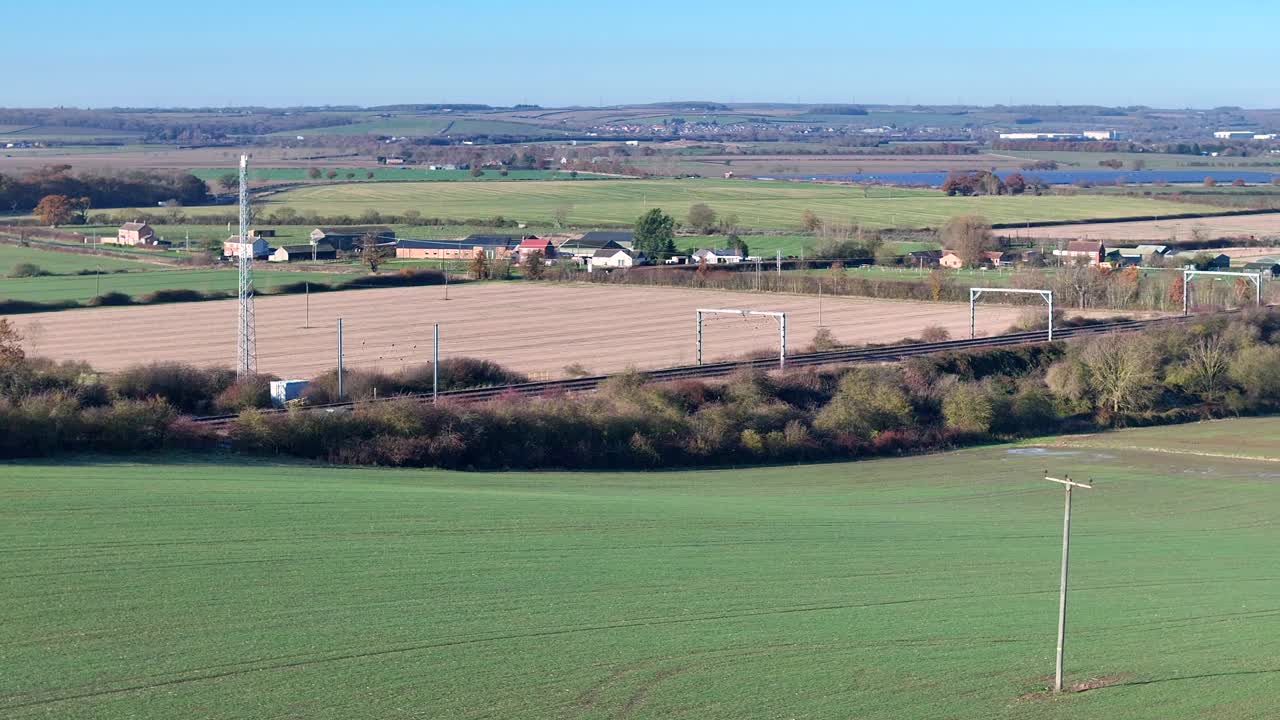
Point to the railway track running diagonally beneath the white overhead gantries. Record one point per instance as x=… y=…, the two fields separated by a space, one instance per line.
x=721 y=370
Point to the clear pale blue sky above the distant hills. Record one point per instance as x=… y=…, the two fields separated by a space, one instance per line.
x=145 y=53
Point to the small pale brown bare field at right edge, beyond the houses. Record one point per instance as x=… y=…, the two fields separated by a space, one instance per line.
x=1162 y=231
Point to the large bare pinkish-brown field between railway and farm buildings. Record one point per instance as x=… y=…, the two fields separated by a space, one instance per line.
x=536 y=329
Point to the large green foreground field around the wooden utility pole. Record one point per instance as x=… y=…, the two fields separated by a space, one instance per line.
x=922 y=587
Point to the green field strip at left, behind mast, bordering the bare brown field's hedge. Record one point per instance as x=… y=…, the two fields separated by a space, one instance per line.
x=84 y=288
